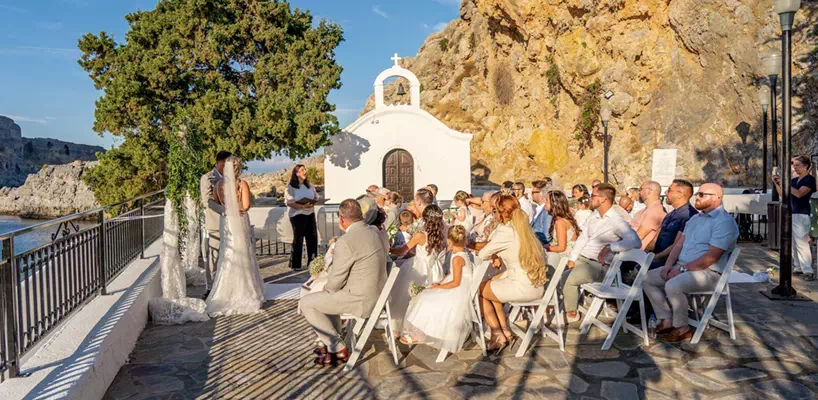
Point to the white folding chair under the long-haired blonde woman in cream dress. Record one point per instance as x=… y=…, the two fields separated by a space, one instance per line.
x=537 y=322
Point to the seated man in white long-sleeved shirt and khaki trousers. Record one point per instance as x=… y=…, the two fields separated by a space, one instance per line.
x=604 y=232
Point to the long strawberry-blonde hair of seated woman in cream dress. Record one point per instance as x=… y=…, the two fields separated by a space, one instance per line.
x=532 y=256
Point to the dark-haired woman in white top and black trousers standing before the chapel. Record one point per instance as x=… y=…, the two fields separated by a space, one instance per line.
x=302 y=215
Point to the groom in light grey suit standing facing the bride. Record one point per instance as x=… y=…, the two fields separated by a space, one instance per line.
x=213 y=210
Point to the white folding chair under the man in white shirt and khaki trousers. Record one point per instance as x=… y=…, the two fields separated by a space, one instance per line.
x=624 y=295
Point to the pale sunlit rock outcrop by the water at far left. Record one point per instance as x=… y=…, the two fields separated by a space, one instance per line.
x=55 y=191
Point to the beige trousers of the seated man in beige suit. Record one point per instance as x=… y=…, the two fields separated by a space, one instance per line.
x=323 y=311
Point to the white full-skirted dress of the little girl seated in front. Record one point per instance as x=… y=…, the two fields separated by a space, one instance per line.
x=441 y=317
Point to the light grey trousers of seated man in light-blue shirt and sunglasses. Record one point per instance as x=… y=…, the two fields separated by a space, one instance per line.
x=675 y=292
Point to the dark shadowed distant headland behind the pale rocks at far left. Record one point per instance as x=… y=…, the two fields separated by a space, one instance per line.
x=21 y=156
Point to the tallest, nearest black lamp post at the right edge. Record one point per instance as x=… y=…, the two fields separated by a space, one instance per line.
x=786 y=10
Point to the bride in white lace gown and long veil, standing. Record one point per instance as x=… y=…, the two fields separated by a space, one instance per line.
x=237 y=287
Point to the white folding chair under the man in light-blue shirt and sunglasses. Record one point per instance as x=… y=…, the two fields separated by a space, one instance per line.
x=722 y=289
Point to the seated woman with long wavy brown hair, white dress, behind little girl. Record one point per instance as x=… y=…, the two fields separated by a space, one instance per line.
x=425 y=268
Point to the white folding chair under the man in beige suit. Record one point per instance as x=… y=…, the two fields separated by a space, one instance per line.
x=356 y=339
